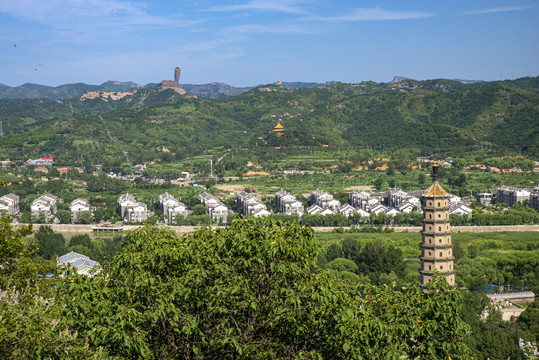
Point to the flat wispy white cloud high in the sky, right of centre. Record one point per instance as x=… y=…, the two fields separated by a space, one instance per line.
x=374 y=14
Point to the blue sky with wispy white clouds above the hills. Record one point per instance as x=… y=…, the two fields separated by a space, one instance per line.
x=250 y=42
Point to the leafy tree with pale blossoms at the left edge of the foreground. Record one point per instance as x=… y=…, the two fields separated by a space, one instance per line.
x=29 y=320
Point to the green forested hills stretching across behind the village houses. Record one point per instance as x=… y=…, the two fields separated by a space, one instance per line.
x=433 y=116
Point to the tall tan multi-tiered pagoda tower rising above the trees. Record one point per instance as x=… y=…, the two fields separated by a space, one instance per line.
x=436 y=247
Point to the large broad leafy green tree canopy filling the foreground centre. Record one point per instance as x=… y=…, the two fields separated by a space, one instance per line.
x=248 y=291
